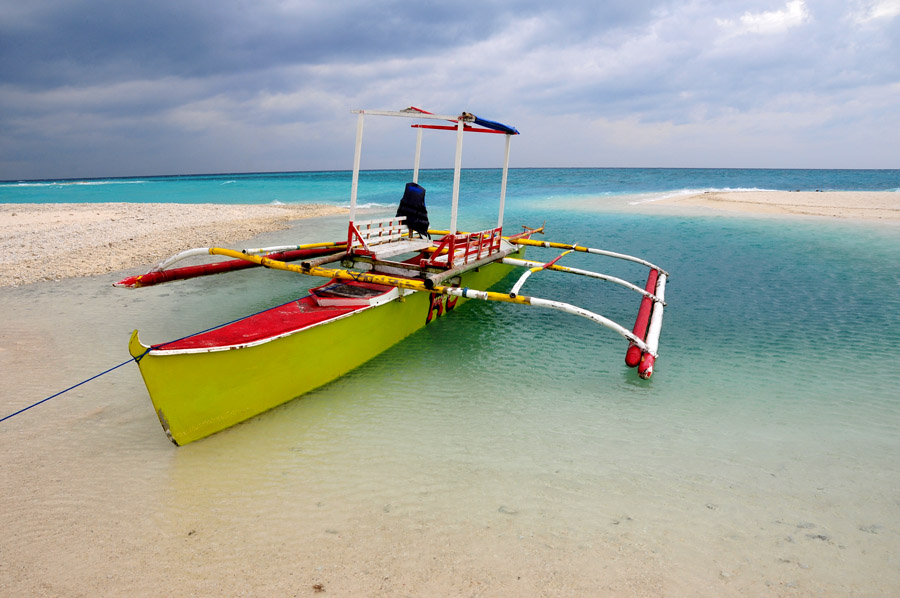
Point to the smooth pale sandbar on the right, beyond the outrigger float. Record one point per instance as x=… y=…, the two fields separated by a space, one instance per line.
x=858 y=205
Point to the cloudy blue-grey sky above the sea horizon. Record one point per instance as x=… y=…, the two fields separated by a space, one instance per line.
x=93 y=88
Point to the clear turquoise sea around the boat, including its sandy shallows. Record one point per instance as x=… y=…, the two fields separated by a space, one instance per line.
x=501 y=447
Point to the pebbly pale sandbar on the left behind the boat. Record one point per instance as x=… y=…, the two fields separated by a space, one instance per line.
x=55 y=241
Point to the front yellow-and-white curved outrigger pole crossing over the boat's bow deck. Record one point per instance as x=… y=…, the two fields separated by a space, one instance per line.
x=415 y=285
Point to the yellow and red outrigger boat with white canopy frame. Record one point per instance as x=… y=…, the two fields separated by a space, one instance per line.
x=397 y=274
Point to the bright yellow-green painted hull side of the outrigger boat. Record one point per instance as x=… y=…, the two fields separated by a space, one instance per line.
x=198 y=393
